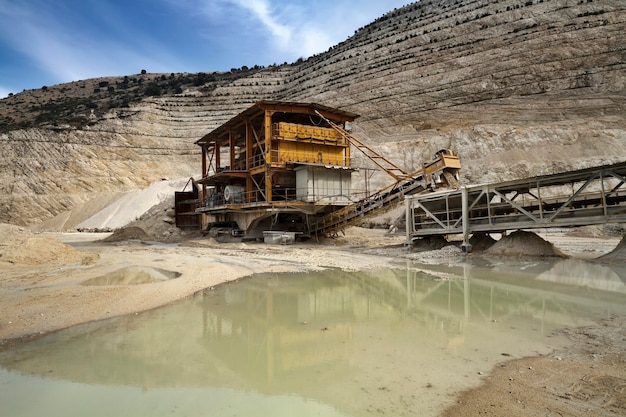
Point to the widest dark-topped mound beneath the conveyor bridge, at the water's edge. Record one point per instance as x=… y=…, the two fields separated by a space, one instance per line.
x=521 y=243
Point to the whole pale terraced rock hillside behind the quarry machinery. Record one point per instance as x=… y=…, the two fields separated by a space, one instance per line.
x=515 y=88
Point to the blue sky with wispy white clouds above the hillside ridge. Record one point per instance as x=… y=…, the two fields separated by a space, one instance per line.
x=48 y=42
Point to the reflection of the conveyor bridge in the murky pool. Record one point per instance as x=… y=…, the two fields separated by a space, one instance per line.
x=546 y=294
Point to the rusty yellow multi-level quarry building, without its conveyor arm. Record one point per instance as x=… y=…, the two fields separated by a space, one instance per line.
x=276 y=162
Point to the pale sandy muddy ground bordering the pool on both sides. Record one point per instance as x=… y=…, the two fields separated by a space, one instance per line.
x=42 y=289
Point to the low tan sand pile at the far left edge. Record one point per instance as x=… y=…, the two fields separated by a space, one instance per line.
x=19 y=246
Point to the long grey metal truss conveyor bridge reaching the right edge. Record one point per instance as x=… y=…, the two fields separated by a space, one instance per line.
x=575 y=198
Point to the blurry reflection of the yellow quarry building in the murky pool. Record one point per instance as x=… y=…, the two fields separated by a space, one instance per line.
x=268 y=331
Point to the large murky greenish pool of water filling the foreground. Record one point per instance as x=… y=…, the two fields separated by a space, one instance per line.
x=396 y=342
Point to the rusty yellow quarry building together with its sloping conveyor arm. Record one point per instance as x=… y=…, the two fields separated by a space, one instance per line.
x=287 y=166
